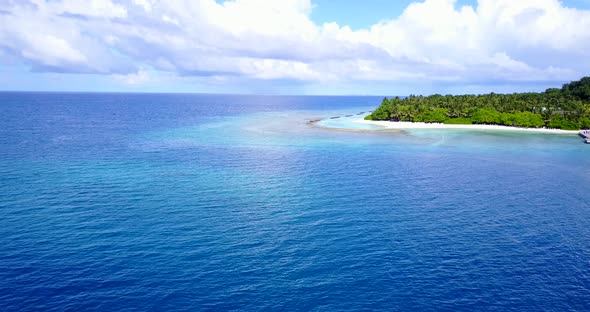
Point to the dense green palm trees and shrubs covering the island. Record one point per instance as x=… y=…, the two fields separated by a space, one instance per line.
x=566 y=108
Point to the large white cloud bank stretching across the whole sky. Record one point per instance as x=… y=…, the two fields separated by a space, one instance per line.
x=434 y=40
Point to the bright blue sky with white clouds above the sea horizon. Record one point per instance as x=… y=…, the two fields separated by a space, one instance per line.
x=319 y=47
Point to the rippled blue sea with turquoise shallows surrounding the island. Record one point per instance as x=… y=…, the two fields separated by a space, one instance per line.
x=128 y=202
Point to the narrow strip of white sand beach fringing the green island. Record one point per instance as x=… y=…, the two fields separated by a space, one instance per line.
x=420 y=125
